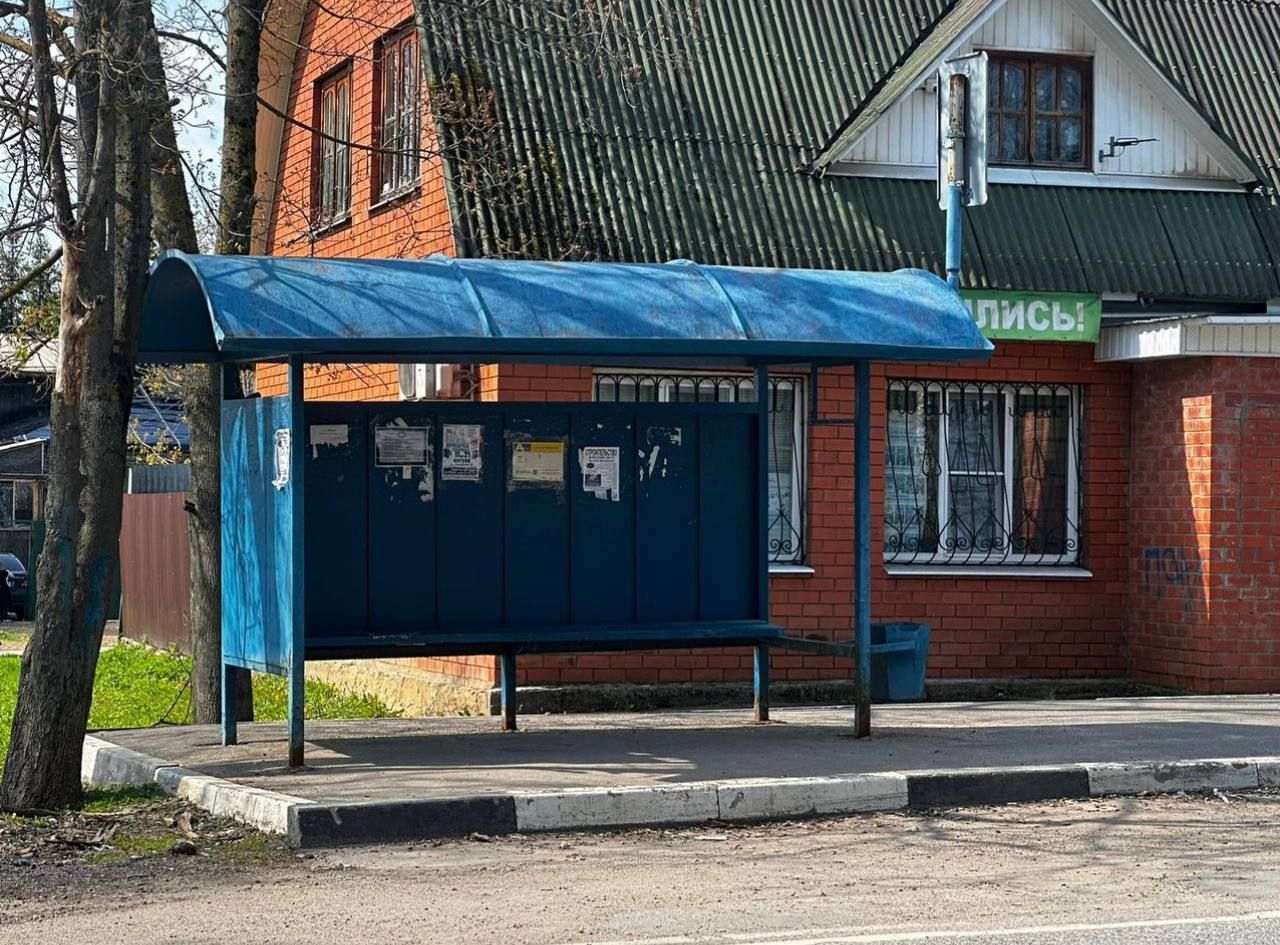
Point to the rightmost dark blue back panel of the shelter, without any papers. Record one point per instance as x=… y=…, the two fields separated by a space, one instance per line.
x=729 y=554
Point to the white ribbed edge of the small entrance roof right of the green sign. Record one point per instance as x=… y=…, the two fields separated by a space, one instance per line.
x=1201 y=336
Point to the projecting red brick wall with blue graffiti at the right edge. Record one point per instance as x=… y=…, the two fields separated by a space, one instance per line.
x=1205 y=600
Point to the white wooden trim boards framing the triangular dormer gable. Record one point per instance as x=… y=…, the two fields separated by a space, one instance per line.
x=959 y=30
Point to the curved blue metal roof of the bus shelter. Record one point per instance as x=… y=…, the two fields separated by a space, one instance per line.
x=263 y=308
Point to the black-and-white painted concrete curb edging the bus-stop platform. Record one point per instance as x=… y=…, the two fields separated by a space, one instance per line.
x=310 y=824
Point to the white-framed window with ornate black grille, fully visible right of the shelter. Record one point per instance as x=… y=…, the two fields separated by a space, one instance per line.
x=982 y=474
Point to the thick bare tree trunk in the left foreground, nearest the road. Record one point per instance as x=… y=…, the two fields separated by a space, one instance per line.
x=106 y=243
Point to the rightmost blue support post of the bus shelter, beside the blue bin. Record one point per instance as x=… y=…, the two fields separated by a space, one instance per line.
x=863 y=544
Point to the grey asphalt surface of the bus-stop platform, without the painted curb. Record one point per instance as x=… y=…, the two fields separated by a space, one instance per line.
x=452 y=757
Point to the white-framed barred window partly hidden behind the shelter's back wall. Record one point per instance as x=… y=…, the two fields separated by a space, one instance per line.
x=787 y=435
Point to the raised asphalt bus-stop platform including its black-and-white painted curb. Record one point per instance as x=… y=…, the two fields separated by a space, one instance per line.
x=388 y=779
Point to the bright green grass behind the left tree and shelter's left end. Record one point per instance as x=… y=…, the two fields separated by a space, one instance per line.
x=139 y=687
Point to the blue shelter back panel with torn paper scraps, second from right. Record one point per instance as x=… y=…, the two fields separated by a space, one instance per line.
x=668 y=515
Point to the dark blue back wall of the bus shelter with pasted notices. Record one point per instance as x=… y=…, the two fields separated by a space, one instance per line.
x=428 y=519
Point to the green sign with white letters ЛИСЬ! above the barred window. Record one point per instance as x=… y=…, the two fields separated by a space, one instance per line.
x=1035 y=316
